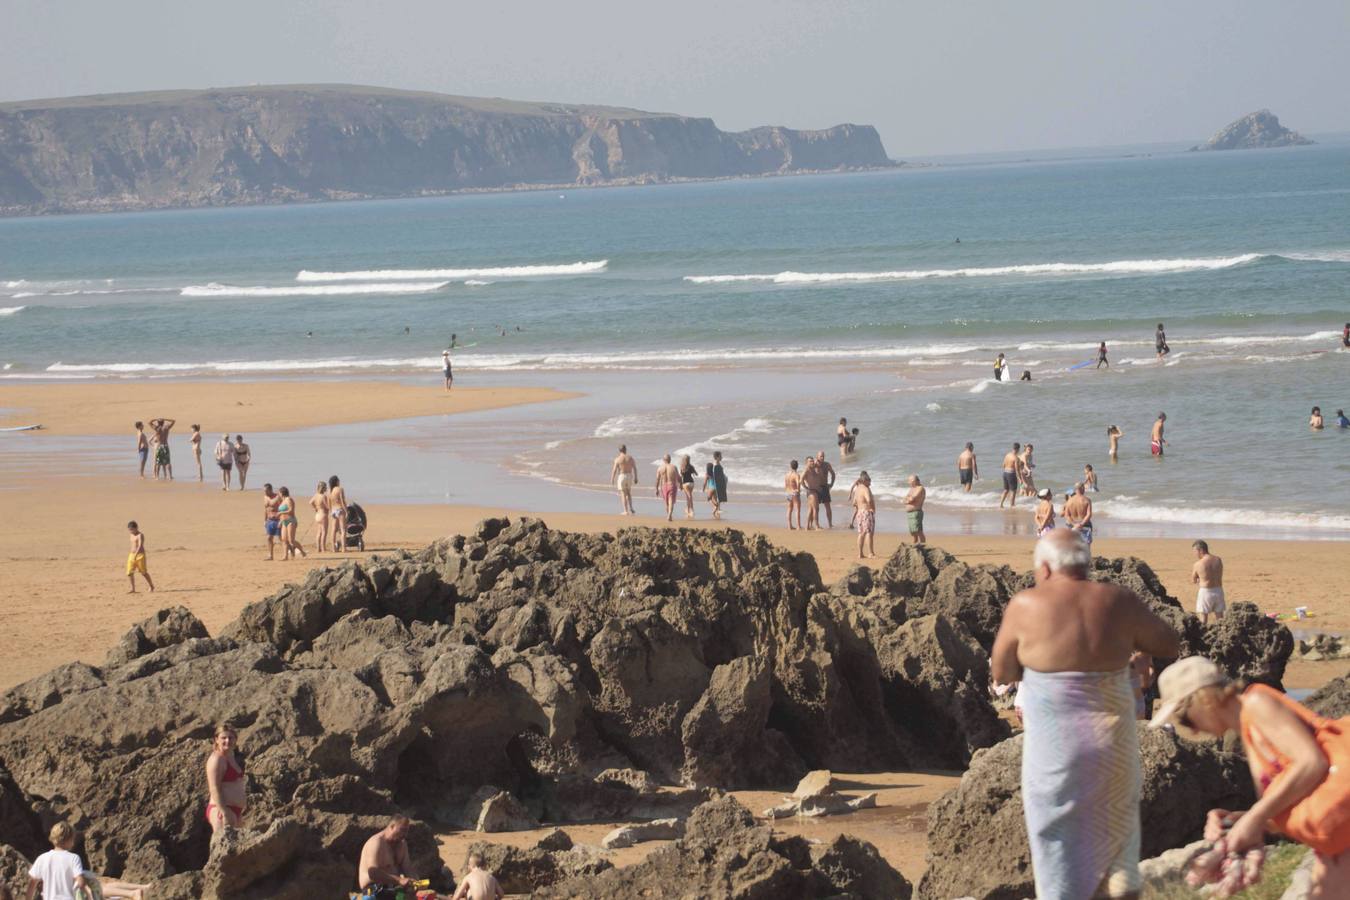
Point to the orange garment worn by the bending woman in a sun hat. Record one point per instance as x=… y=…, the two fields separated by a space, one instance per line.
x=1322 y=820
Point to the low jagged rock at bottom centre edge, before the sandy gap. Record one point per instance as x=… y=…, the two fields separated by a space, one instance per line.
x=726 y=856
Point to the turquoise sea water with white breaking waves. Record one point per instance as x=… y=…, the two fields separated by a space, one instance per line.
x=749 y=316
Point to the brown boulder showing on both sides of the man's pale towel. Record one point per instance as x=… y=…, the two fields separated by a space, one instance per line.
x=982 y=818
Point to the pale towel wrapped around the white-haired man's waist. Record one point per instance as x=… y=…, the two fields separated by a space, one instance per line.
x=1081 y=783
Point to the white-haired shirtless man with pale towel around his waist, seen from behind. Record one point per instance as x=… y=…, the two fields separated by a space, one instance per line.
x=1069 y=642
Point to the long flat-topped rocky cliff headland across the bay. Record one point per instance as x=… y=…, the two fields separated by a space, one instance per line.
x=330 y=142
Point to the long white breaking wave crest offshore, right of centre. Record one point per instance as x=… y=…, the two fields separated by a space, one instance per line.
x=1118 y=268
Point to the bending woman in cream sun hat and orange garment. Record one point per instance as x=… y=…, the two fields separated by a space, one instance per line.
x=1301 y=793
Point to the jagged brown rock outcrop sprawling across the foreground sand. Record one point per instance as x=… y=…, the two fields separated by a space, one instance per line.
x=522 y=675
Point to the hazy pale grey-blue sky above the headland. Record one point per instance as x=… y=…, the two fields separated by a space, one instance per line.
x=935 y=78
